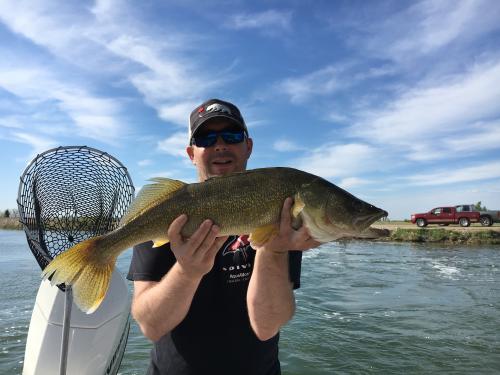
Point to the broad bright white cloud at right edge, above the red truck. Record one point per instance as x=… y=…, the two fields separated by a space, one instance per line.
x=419 y=116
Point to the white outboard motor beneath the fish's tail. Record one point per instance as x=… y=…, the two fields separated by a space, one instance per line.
x=96 y=341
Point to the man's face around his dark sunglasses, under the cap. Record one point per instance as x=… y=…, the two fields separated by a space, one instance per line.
x=221 y=158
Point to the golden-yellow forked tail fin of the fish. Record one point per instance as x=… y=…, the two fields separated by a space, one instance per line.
x=86 y=270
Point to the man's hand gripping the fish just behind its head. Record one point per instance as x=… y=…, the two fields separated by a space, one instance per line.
x=288 y=238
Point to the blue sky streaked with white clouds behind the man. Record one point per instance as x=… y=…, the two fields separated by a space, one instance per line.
x=396 y=101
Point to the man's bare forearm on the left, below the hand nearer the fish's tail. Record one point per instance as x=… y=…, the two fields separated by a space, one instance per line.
x=161 y=307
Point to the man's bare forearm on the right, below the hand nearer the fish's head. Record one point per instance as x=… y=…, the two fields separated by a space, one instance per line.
x=270 y=298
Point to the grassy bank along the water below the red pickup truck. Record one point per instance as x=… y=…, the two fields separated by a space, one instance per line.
x=439 y=235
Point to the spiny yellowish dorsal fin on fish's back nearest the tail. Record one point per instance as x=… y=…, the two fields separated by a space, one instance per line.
x=150 y=195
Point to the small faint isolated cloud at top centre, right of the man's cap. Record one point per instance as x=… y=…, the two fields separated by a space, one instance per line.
x=269 y=21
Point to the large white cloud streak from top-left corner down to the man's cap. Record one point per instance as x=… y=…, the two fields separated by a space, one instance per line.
x=108 y=39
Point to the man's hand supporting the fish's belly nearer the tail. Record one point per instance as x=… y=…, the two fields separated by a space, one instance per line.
x=195 y=255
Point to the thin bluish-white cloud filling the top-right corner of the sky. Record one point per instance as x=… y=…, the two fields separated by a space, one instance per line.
x=427 y=27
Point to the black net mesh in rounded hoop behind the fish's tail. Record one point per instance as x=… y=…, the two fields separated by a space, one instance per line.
x=69 y=194
